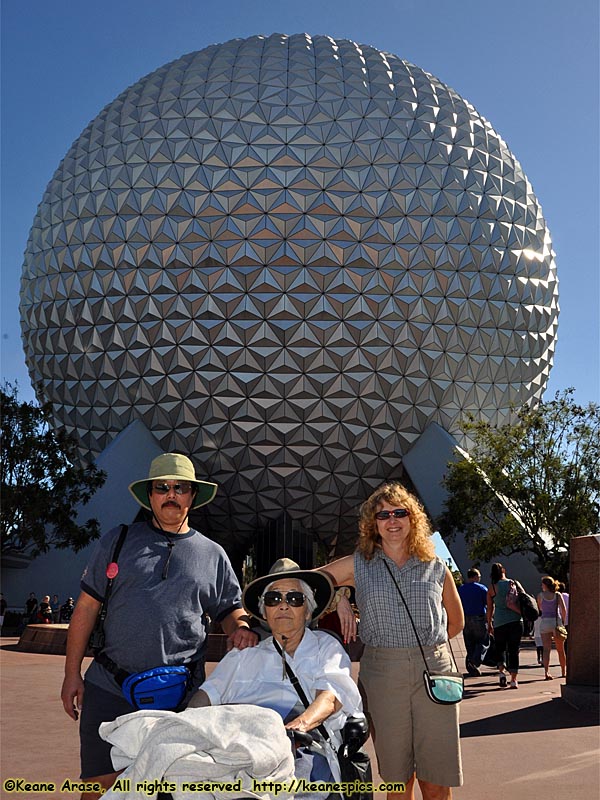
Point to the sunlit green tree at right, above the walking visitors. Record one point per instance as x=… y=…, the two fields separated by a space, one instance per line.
x=528 y=486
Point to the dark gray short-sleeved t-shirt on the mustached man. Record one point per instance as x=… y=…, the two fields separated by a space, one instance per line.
x=159 y=613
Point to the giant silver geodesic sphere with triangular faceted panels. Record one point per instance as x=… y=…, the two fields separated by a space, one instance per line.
x=286 y=256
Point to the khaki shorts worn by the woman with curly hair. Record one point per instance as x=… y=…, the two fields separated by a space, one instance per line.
x=411 y=733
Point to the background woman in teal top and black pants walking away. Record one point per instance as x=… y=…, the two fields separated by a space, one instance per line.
x=505 y=625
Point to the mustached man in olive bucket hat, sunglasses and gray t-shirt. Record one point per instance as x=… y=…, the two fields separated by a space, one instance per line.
x=168 y=583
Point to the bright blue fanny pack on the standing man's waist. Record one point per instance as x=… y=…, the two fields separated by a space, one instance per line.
x=158 y=688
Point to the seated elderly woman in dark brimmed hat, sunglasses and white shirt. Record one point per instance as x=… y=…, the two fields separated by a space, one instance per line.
x=288 y=600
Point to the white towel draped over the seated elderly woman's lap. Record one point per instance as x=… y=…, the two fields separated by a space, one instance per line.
x=220 y=743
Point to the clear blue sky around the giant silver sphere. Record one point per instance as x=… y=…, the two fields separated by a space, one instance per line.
x=531 y=68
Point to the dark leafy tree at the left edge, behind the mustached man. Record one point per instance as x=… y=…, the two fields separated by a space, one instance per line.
x=42 y=481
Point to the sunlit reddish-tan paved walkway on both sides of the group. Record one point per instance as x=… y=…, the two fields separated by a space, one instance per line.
x=517 y=745
